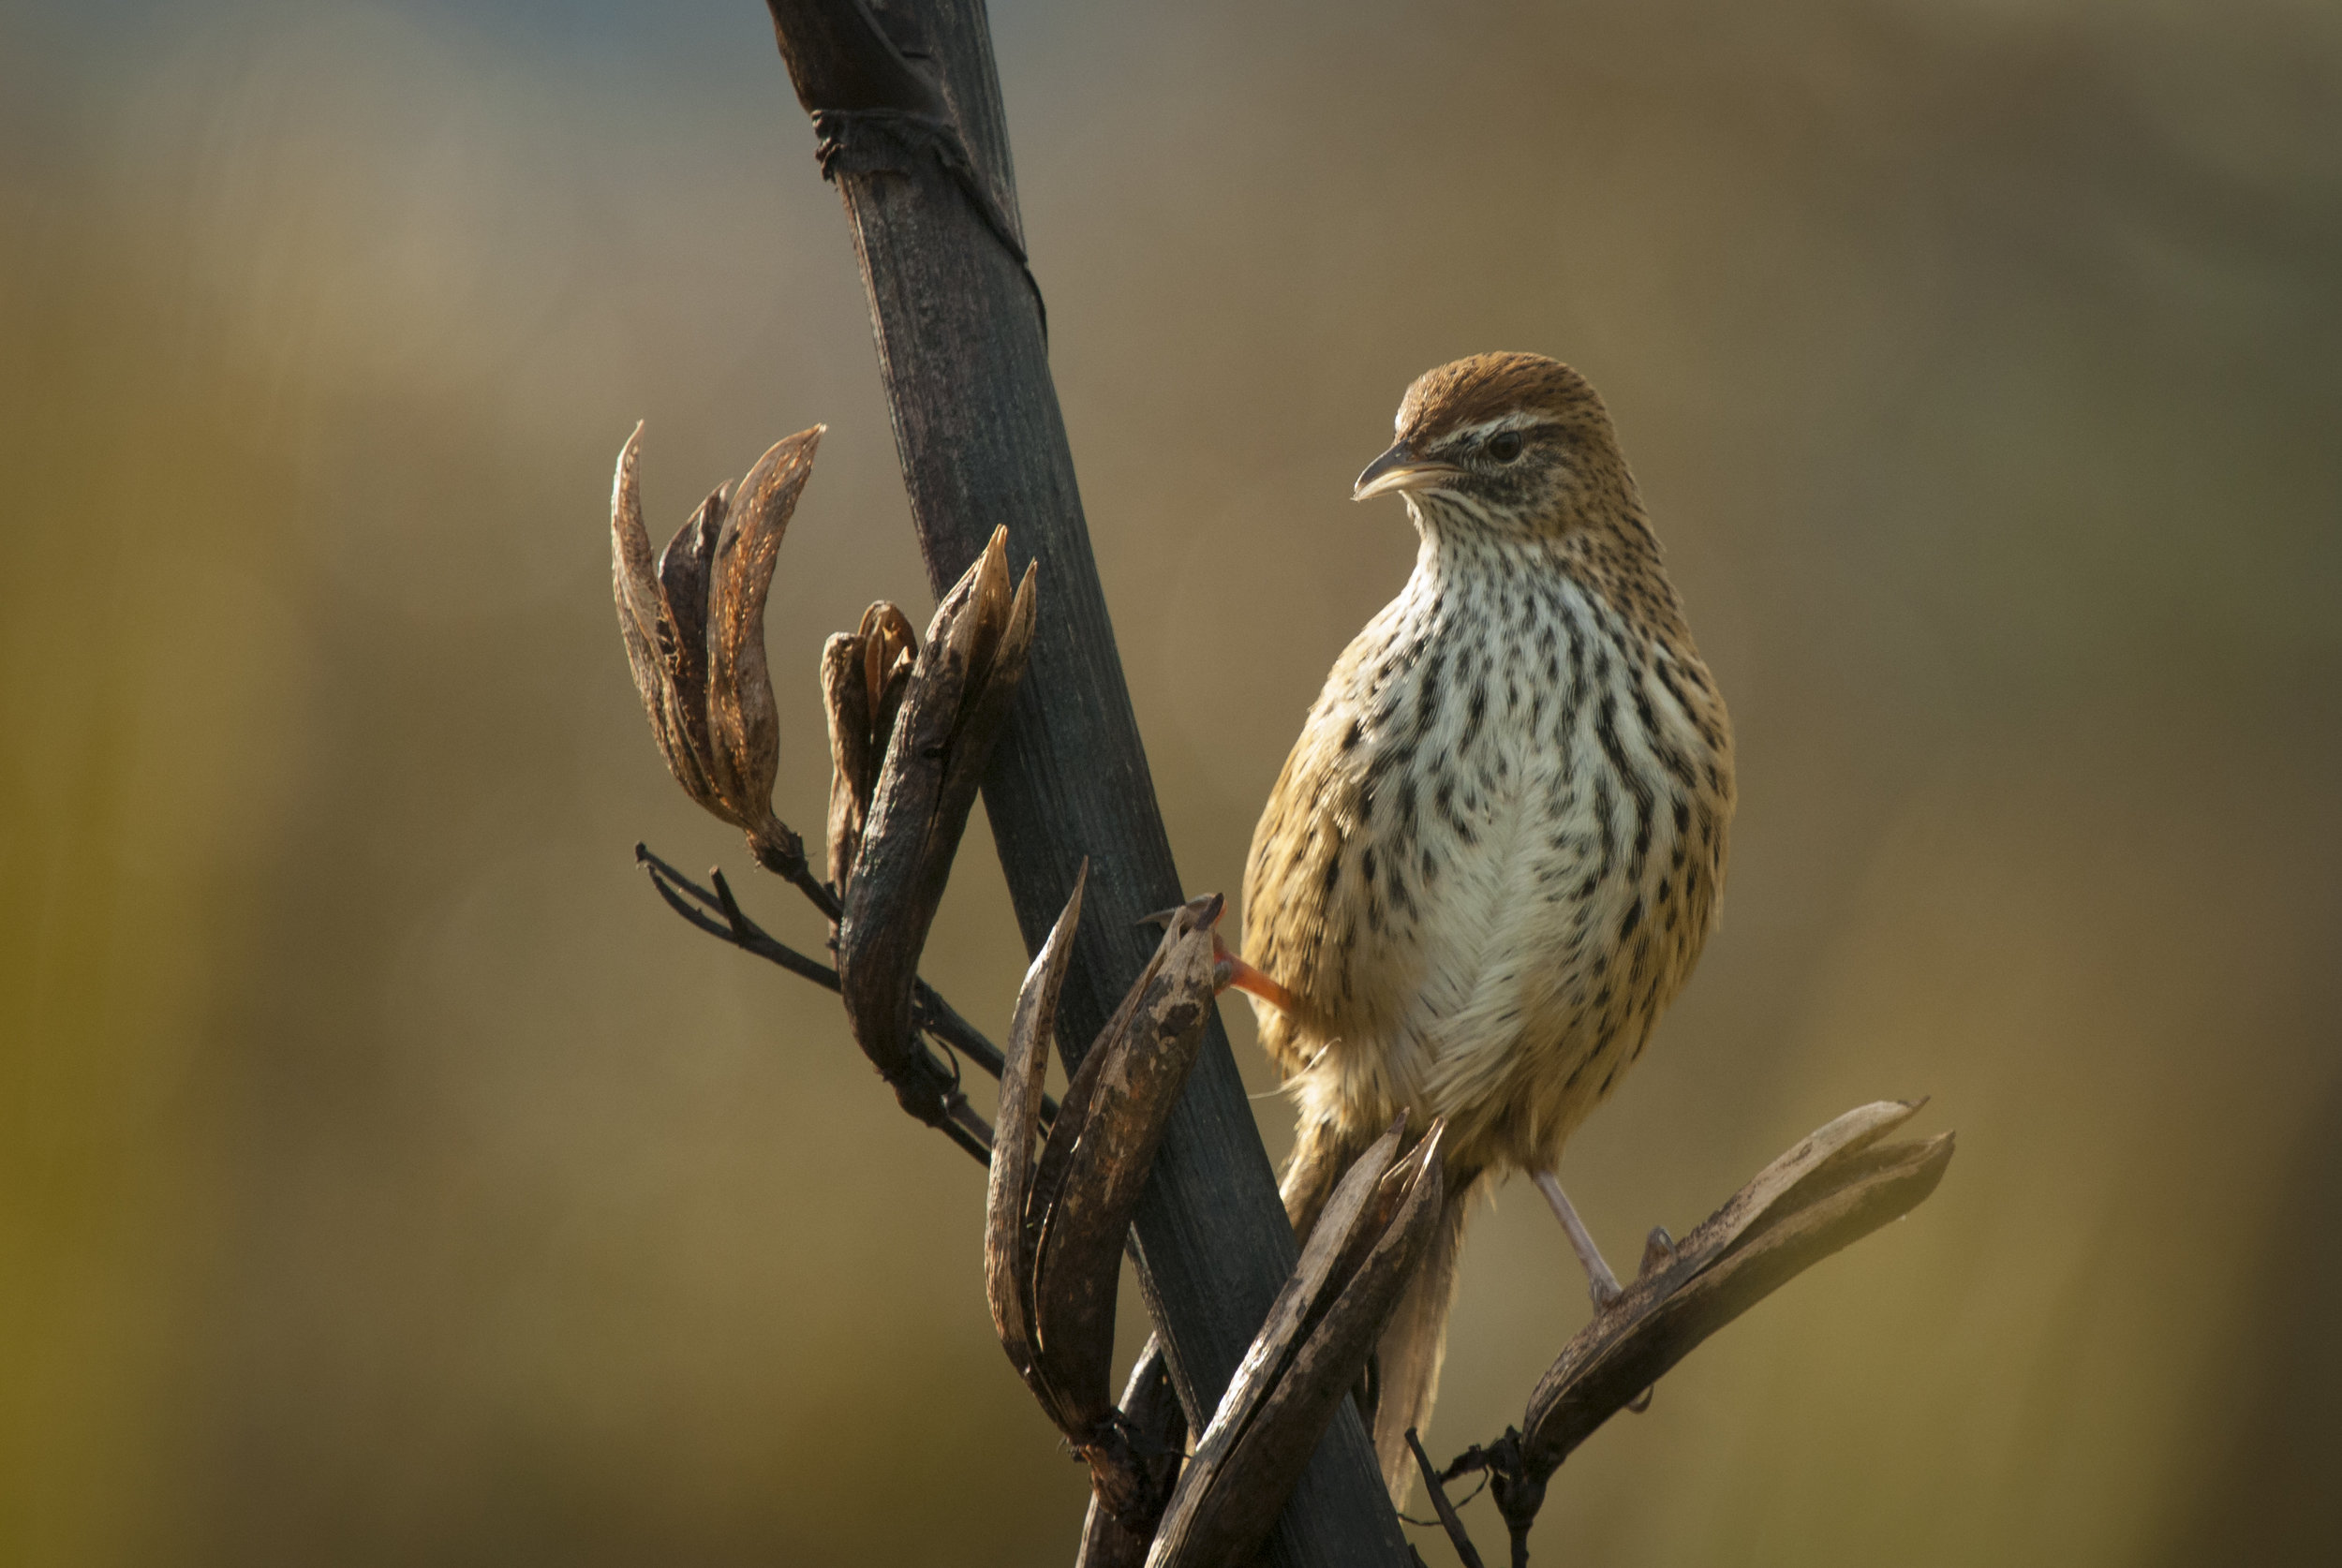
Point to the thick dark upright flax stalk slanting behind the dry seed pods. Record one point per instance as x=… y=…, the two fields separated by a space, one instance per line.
x=912 y=132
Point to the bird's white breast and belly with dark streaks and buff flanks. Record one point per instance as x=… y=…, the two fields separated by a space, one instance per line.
x=1505 y=912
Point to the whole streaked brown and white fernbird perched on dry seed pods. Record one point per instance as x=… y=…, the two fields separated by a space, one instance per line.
x=1498 y=846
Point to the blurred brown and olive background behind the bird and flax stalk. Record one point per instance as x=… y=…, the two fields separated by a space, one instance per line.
x=388 y=1178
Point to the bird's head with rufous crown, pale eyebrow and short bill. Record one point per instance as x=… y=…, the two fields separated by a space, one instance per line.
x=1512 y=443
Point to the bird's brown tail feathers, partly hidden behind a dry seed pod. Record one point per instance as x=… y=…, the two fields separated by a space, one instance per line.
x=1406 y=1373
